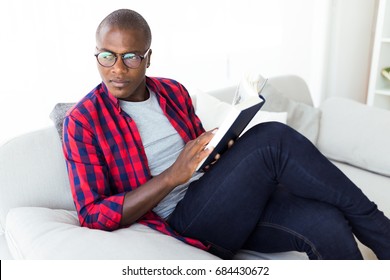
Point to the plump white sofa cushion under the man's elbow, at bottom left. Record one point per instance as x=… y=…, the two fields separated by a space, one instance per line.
x=42 y=233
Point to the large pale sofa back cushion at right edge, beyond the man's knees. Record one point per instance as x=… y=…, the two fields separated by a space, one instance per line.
x=355 y=133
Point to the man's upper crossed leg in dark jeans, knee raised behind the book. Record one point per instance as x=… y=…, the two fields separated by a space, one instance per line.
x=225 y=205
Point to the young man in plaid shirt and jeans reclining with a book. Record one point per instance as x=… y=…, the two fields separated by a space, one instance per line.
x=133 y=143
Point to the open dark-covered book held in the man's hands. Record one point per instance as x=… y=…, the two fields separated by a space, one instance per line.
x=247 y=102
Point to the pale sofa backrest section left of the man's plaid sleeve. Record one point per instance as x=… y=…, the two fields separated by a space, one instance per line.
x=33 y=173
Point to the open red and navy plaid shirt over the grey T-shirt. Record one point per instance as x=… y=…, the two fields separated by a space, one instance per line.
x=106 y=158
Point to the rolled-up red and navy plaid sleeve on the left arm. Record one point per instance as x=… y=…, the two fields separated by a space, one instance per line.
x=88 y=177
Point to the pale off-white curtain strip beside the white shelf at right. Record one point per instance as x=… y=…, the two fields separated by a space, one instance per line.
x=351 y=35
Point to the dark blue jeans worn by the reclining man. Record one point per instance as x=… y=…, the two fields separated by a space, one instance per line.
x=273 y=191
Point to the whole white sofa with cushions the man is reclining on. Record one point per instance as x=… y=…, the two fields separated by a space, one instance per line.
x=37 y=215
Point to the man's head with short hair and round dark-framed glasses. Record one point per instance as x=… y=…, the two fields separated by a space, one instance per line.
x=123 y=41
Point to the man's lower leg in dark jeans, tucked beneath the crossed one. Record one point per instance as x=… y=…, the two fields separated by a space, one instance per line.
x=291 y=223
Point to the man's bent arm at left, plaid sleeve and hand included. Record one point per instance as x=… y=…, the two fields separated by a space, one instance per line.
x=91 y=191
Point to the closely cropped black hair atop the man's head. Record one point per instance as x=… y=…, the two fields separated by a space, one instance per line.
x=127 y=19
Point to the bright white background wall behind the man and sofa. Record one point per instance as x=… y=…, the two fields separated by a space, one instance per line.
x=47 y=47
